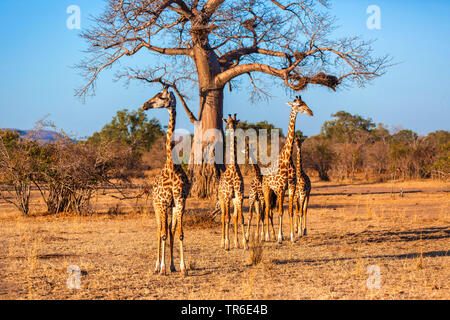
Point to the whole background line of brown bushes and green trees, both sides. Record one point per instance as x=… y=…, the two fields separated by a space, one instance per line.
x=68 y=173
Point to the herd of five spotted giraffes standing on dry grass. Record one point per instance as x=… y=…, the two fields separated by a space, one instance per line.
x=267 y=191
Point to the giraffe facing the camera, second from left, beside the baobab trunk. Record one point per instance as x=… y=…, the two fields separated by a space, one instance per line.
x=231 y=184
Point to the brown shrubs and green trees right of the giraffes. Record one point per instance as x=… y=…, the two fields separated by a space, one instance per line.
x=350 y=144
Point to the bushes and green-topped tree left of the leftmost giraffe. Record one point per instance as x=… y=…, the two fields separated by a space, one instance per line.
x=66 y=172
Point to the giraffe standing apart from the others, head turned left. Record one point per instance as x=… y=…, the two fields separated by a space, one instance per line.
x=170 y=191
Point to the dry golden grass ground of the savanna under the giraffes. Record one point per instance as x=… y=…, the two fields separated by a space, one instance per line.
x=351 y=227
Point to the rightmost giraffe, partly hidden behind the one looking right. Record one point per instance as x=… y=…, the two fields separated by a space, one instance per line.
x=302 y=191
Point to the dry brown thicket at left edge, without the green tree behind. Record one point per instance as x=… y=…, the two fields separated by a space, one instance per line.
x=67 y=173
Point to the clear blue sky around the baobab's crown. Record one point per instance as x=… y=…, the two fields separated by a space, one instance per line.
x=38 y=52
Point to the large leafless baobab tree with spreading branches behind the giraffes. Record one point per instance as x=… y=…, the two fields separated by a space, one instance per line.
x=212 y=43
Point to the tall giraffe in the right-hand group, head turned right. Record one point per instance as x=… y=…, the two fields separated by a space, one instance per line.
x=281 y=172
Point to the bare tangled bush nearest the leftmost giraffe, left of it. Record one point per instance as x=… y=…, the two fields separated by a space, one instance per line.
x=75 y=171
